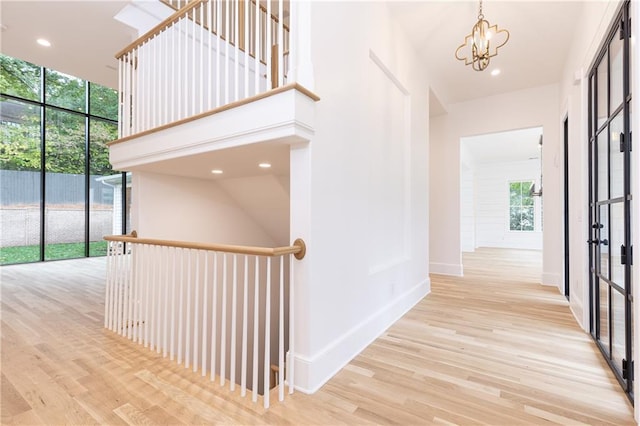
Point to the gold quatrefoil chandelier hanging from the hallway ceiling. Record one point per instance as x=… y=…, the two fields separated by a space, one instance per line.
x=482 y=44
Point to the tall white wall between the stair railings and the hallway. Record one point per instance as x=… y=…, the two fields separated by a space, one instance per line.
x=359 y=189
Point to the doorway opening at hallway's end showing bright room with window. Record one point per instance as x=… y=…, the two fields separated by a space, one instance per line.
x=501 y=192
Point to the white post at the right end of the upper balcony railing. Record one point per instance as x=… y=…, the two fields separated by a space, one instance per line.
x=300 y=44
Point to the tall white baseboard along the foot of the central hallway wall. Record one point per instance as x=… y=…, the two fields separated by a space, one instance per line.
x=311 y=373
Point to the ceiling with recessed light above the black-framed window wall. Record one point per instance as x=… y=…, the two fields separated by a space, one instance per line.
x=83 y=34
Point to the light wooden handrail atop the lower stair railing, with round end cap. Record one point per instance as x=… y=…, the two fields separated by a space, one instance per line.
x=298 y=249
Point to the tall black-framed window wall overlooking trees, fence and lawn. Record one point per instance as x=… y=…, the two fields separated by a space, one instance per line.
x=59 y=195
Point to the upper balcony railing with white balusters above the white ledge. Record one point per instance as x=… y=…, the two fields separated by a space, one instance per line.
x=208 y=54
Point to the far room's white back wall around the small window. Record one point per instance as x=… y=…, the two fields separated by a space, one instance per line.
x=492 y=205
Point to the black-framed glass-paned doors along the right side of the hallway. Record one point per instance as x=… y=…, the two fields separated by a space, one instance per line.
x=610 y=203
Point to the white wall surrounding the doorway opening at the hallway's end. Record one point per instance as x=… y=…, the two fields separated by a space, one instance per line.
x=532 y=107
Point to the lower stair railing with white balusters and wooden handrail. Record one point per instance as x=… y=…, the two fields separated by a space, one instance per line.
x=210 y=307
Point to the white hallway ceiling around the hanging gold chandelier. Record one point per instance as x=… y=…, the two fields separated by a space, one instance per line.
x=541 y=33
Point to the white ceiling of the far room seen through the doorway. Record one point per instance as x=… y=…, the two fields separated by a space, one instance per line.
x=513 y=145
